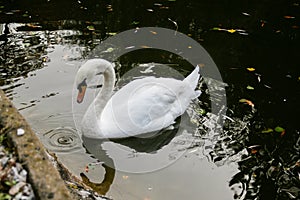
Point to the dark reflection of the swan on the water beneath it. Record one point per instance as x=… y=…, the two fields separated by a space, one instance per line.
x=98 y=149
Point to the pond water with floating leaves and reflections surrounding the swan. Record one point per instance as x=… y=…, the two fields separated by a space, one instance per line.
x=255 y=46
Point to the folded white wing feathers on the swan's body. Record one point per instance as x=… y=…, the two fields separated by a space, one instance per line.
x=143 y=105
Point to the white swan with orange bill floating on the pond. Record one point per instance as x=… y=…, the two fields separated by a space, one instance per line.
x=142 y=106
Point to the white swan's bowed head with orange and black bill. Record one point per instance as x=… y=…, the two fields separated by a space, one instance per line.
x=87 y=72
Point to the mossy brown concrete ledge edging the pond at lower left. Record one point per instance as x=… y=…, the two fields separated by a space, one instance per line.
x=43 y=176
